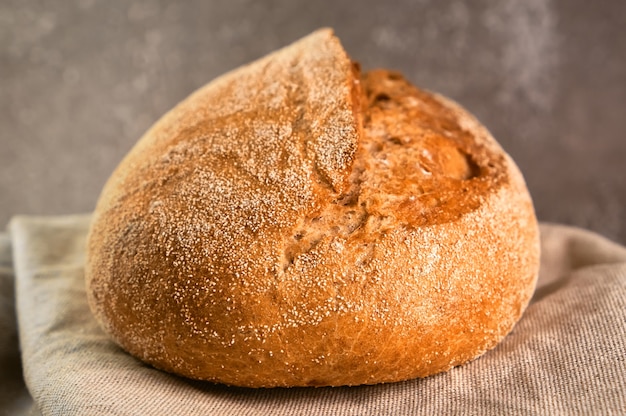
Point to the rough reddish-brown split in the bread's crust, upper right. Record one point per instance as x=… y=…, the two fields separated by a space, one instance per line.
x=414 y=166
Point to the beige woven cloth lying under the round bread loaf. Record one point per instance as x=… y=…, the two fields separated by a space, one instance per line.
x=566 y=356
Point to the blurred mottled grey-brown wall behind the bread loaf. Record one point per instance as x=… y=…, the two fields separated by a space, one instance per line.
x=81 y=80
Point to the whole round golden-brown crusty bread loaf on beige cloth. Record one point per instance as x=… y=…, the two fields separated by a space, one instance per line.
x=296 y=223
